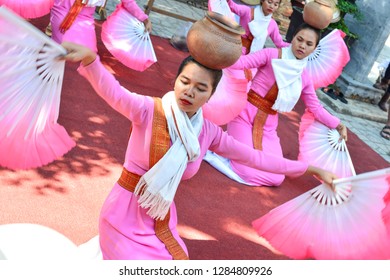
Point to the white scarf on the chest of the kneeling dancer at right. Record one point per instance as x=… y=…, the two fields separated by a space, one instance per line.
x=288 y=75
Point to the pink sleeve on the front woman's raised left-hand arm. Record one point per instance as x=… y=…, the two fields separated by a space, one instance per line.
x=129 y=104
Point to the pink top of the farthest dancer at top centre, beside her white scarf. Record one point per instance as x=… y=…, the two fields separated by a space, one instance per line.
x=245 y=14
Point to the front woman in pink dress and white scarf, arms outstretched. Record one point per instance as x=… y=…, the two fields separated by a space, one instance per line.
x=168 y=141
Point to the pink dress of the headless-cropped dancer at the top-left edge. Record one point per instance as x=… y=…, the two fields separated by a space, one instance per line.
x=82 y=30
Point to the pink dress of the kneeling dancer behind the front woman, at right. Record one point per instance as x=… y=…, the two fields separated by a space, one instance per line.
x=241 y=127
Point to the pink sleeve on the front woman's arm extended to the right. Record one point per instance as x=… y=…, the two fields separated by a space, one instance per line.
x=228 y=147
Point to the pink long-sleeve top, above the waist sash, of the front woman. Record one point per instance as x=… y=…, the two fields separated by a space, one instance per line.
x=139 y=110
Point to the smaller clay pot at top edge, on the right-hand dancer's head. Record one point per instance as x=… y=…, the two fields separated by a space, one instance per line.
x=318 y=13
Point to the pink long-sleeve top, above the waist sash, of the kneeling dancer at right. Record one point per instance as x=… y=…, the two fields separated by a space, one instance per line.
x=265 y=78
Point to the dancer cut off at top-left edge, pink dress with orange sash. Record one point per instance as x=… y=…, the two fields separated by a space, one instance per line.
x=73 y=20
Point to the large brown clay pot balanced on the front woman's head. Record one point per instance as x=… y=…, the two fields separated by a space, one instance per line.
x=215 y=41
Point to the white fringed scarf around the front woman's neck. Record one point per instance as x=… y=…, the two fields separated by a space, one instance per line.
x=157 y=187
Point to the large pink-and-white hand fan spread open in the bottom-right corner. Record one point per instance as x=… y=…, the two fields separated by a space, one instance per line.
x=322 y=224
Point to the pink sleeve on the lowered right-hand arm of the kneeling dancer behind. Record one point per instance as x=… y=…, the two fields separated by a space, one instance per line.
x=311 y=101
